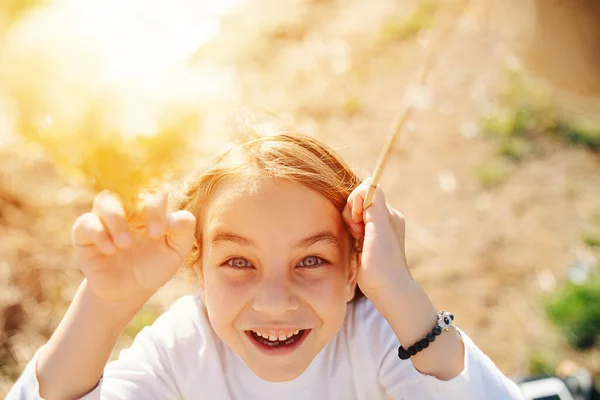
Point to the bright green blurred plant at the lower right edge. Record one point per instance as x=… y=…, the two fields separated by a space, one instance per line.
x=575 y=310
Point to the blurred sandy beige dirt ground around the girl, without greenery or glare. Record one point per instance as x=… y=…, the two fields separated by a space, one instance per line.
x=334 y=70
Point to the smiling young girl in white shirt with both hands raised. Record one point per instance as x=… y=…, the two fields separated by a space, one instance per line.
x=304 y=294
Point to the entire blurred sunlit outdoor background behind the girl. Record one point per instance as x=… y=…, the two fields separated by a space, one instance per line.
x=497 y=173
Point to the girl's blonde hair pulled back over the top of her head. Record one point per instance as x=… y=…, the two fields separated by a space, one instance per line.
x=292 y=156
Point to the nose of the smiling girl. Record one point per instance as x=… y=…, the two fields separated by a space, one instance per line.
x=275 y=297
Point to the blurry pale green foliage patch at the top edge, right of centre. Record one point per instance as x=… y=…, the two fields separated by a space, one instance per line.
x=398 y=29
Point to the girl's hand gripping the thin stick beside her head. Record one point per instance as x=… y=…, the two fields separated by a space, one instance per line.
x=381 y=230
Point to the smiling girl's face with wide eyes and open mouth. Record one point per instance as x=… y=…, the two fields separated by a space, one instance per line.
x=276 y=274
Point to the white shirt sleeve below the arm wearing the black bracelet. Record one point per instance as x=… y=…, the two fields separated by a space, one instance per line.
x=480 y=378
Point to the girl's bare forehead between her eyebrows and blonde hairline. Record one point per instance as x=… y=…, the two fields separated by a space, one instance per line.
x=269 y=204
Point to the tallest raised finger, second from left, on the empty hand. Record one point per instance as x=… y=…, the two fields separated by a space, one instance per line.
x=110 y=211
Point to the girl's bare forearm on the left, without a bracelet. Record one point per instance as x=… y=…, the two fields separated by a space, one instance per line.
x=72 y=362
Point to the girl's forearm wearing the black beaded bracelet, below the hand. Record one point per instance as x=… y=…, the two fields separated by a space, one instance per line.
x=412 y=315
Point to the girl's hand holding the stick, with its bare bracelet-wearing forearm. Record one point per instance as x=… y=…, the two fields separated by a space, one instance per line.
x=383 y=277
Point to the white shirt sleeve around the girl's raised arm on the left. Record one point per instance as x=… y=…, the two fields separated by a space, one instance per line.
x=143 y=371
